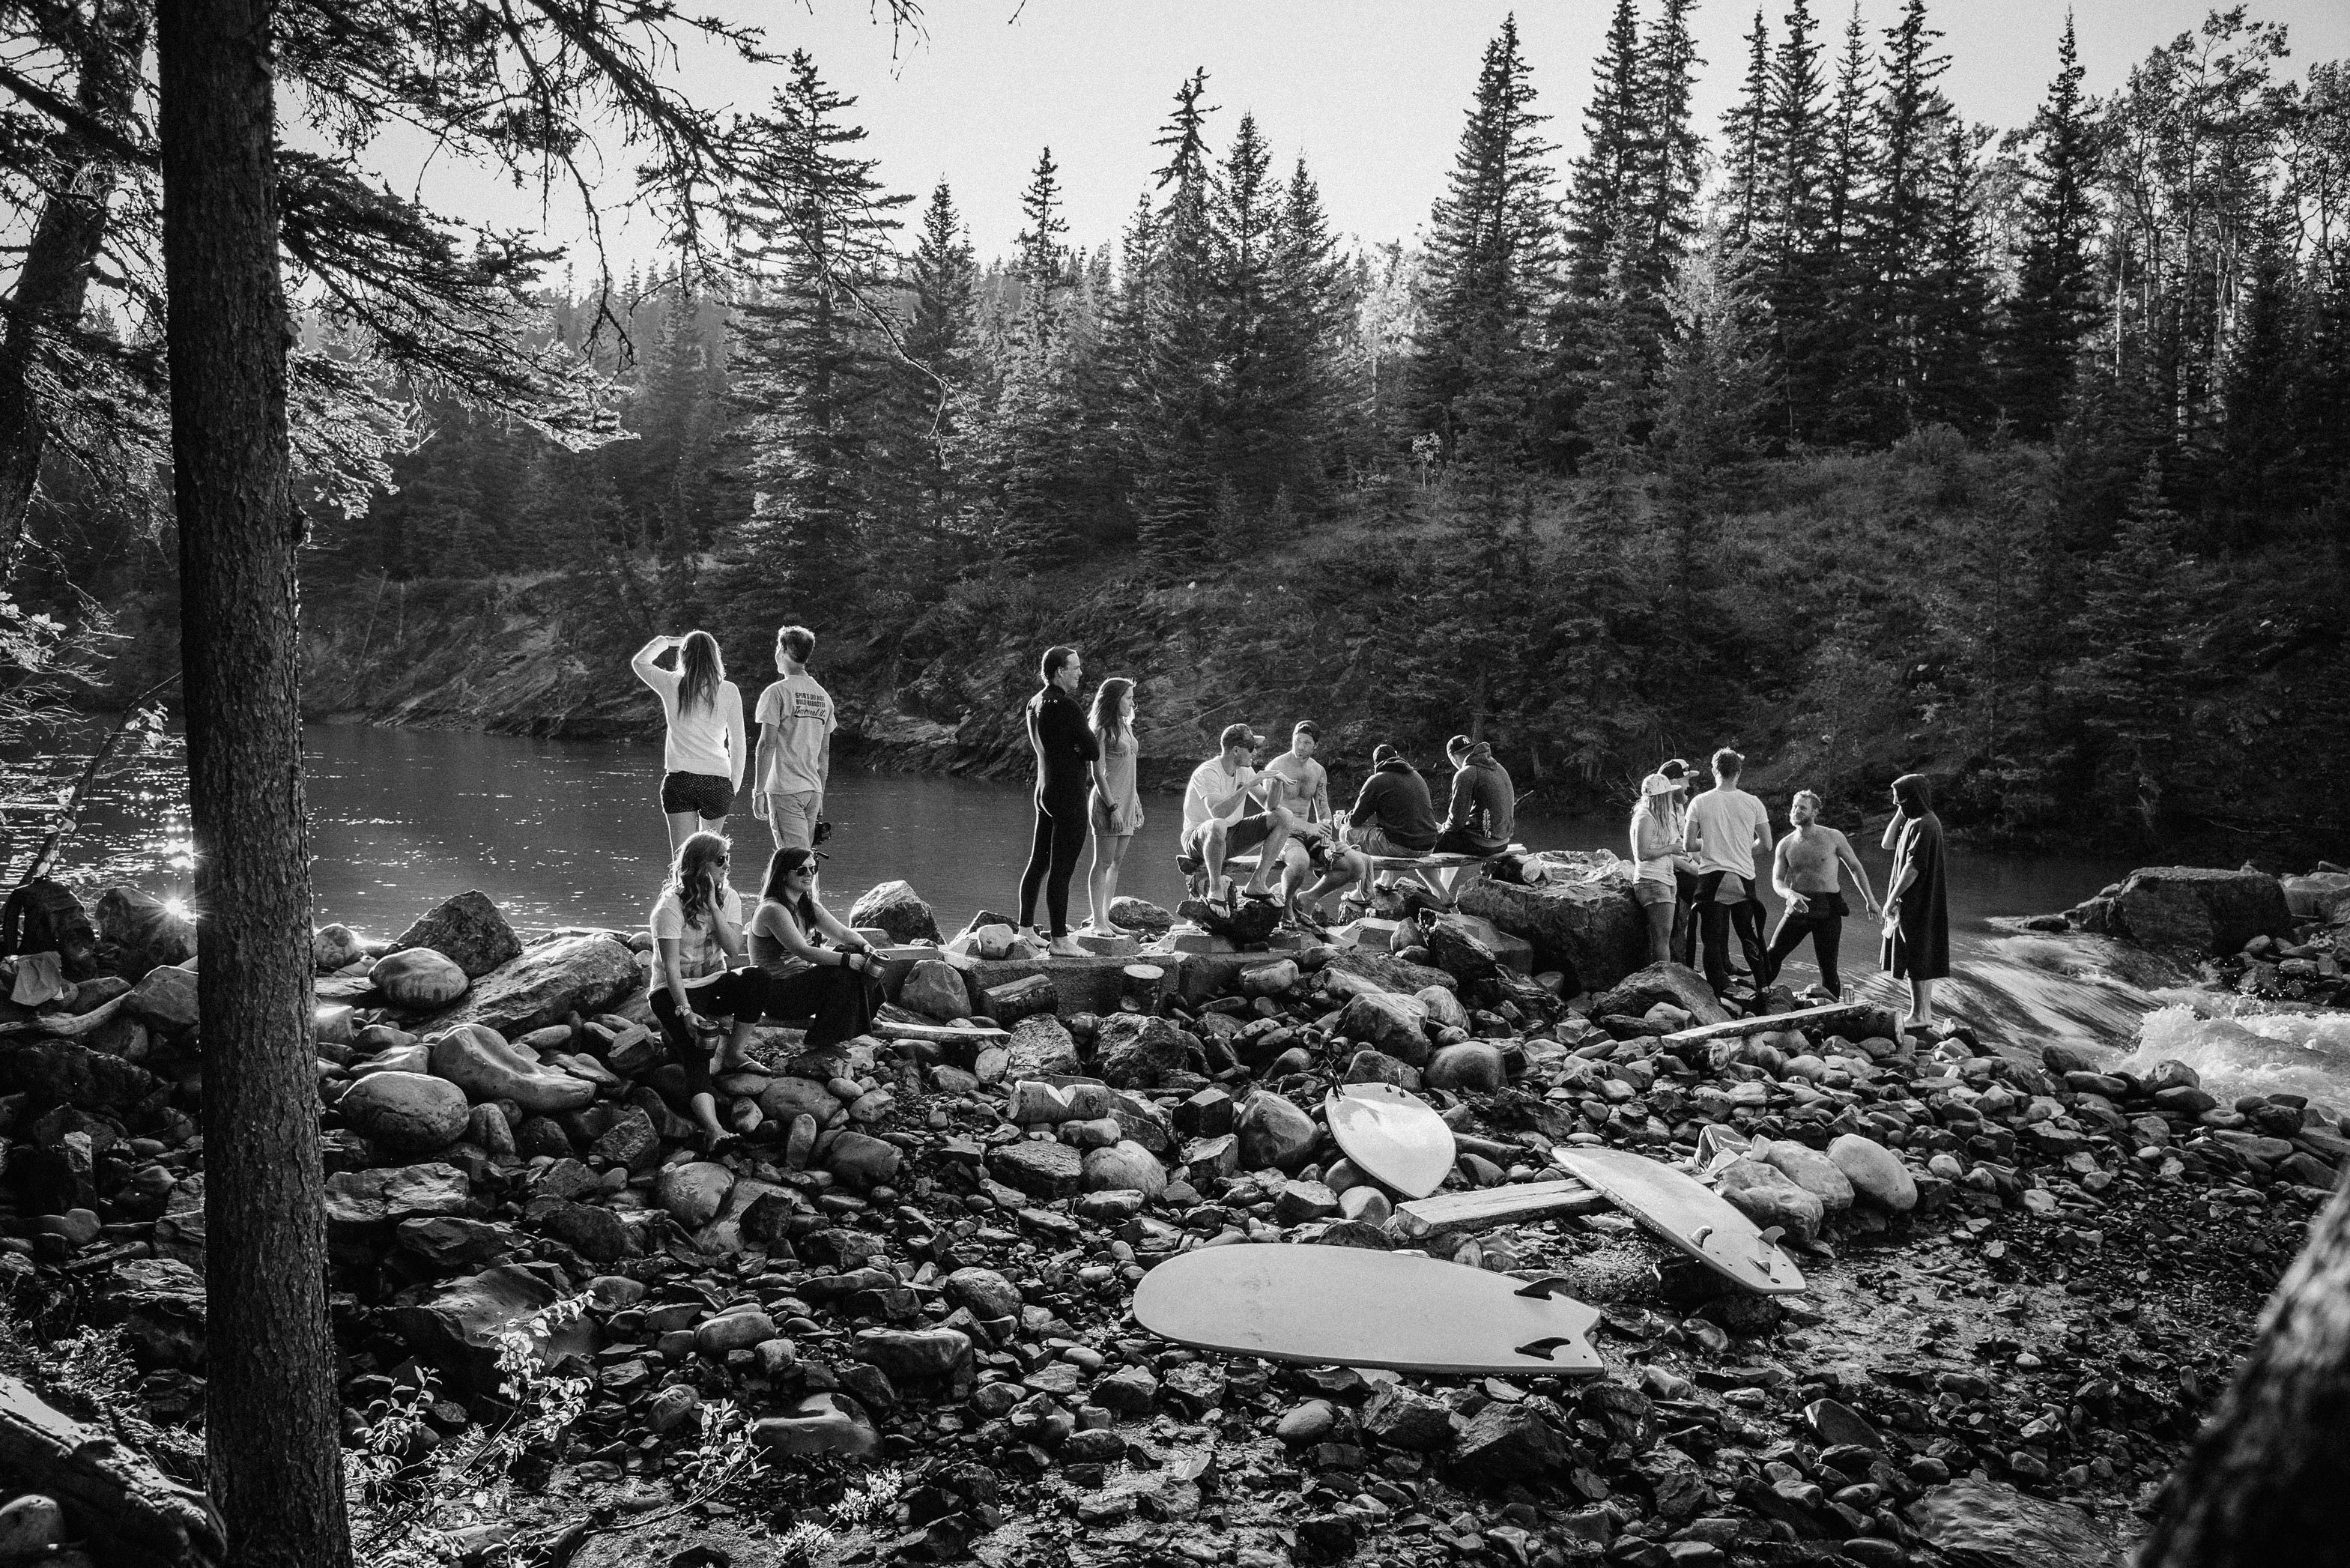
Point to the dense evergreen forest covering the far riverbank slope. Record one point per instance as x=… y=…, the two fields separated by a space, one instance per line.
x=1848 y=431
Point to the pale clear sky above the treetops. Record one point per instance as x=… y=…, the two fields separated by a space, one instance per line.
x=1371 y=93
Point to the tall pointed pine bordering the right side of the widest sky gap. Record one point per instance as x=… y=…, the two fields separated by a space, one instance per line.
x=1491 y=269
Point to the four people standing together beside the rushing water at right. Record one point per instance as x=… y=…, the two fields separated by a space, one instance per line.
x=1698 y=880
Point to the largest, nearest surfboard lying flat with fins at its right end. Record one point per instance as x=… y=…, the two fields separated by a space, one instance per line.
x=1341 y=1306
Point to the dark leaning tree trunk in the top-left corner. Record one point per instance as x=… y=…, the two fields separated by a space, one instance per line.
x=55 y=276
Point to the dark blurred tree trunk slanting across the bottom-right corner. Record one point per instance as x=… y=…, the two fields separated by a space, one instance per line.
x=2269 y=1473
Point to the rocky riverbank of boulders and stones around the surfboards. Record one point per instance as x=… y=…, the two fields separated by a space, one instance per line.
x=906 y=1287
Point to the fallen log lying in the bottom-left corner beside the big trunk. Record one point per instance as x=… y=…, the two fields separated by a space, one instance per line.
x=114 y=1499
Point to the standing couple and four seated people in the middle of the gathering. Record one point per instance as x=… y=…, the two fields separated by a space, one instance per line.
x=1235 y=803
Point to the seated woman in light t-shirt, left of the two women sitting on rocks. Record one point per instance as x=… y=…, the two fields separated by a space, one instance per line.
x=704 y=984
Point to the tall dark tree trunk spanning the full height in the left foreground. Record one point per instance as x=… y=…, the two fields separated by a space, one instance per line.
x=274 y=1435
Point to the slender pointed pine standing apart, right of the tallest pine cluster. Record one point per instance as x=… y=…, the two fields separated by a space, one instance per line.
x=2055 y=304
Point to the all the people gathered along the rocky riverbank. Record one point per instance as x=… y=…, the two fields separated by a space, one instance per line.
x=720 y=974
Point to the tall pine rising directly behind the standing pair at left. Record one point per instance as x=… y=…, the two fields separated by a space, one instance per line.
x=814 y=377
